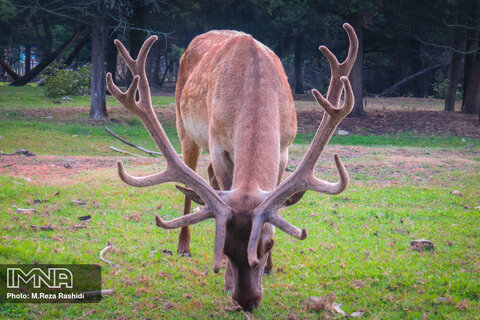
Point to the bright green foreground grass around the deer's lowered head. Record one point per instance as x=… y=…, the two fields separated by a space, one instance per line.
x=358 y=248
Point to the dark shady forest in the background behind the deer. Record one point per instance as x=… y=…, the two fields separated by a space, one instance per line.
x=407 y=48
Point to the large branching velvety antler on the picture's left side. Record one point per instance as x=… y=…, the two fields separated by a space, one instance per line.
x=176 y=169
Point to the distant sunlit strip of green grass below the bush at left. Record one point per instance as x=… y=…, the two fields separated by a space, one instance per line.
x=28 y=97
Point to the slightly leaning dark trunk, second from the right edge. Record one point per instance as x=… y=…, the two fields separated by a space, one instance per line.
x=455 y=70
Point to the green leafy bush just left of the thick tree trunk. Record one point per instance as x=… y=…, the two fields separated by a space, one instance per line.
x=59 y=82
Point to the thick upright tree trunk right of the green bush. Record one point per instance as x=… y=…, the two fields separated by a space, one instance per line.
x=98 y=109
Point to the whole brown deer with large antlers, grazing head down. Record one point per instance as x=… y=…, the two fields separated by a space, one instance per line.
x=233 y=100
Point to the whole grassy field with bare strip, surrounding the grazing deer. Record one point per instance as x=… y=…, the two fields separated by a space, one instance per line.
x=358 y=246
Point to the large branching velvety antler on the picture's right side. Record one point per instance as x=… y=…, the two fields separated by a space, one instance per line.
x=303 y=178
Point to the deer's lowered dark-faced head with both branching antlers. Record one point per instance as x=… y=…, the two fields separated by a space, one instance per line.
x=244 y=219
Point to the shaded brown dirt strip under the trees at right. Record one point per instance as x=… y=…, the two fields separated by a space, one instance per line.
x=395 y=122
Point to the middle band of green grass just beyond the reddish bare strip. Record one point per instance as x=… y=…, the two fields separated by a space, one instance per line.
x=85 y=138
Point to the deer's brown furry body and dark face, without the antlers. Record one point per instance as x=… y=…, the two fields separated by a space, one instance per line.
x=233 y=100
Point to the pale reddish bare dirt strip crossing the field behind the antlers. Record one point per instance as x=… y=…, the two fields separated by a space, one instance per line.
x=387 y=165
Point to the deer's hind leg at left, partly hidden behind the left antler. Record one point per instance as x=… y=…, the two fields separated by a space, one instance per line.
x=191 y=152
